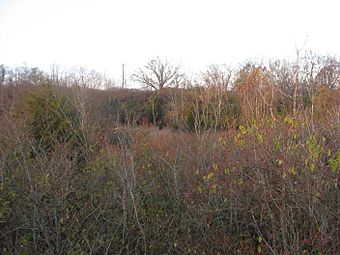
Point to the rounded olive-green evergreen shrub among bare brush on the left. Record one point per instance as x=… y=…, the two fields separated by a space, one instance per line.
x=51 y=118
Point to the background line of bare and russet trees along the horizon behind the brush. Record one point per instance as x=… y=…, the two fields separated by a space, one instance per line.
x=218 y=98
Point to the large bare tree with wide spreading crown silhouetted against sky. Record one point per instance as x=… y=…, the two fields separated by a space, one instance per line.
x=158 y=74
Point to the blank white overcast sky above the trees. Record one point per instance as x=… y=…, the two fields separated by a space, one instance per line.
x=103 y=34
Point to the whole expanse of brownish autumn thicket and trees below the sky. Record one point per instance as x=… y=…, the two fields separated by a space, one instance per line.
x=232 y=162
